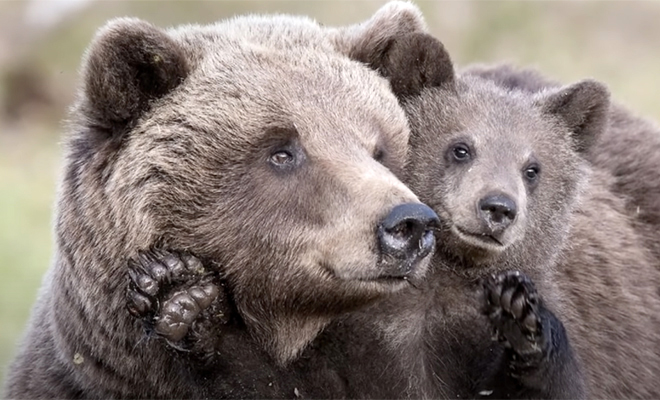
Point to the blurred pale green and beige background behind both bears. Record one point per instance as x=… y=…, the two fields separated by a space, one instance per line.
x=616 y=42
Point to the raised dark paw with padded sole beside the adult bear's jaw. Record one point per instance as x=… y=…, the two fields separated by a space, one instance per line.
x=169 y=291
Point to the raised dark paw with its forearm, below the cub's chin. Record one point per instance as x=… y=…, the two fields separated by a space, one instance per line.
x=538 y=361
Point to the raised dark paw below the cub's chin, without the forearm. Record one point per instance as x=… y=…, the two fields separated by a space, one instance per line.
x=513 y=306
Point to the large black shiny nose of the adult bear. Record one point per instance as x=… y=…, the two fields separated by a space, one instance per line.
x=405 y=237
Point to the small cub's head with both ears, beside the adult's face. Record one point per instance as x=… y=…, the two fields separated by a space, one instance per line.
x=503 y=168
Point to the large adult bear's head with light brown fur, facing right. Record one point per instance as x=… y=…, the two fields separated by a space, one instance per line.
x=255 y=145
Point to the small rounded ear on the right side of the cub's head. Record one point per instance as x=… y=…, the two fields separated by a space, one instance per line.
x=583 y=107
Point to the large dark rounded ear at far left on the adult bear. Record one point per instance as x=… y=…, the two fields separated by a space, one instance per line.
x=129 y=63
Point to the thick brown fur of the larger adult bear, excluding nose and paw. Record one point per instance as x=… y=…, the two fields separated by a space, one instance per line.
x=250 y=143
